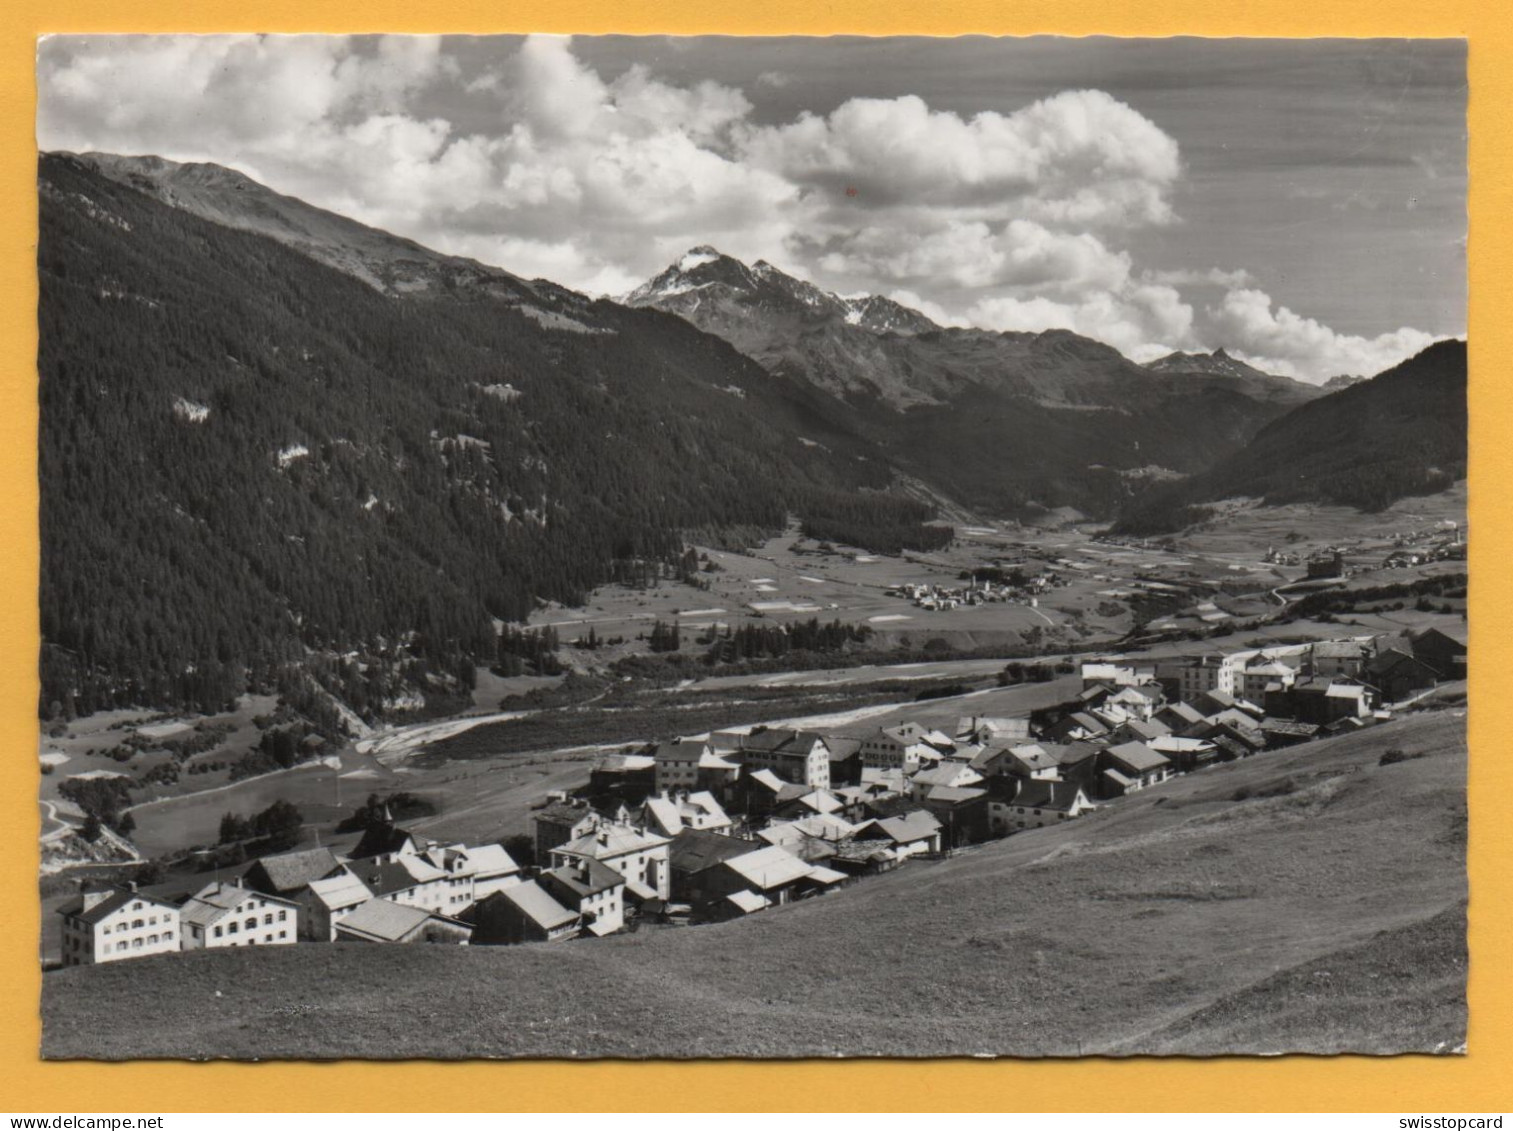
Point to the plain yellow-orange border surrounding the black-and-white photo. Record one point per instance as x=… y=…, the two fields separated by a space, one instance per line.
x=1477 y=1082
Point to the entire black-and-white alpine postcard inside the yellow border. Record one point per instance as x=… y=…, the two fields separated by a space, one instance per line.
x=677 y=548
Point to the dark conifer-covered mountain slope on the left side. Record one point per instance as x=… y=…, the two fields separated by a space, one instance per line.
x=249 y=454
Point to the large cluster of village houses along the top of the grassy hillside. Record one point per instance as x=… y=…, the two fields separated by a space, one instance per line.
x=742 y=822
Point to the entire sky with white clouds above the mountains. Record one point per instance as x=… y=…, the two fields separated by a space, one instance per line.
x=1300 y=205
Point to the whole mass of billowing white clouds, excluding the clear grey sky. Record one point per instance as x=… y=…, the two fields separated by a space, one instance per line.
x=1005 y=222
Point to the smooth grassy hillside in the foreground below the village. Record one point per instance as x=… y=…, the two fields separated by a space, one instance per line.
x=1323 y=919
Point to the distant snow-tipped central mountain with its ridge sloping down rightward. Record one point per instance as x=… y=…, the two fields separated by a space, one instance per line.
x=1043 y=421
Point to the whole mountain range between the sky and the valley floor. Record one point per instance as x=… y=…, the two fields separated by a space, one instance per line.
x=273 y=438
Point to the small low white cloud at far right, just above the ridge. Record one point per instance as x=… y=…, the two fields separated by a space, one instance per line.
x=1275 y=339
